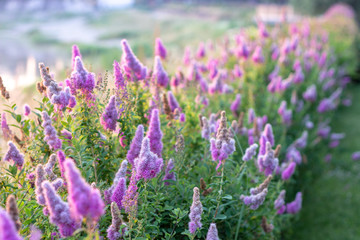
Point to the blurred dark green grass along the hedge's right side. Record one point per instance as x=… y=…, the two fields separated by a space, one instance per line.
x=331 y=205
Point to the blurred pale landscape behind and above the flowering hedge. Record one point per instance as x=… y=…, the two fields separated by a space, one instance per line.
x=33 y=31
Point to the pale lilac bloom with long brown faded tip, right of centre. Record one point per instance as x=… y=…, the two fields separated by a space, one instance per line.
x=224 y=144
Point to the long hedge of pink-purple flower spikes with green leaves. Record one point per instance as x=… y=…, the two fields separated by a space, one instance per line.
x=133 y=156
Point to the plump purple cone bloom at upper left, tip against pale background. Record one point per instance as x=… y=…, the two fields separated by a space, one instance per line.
x=81 y=78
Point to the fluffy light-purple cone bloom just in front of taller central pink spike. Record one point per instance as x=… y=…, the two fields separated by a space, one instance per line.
x=148 y=164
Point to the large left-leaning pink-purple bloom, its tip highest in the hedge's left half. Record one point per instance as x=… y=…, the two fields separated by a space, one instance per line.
x=133 y=68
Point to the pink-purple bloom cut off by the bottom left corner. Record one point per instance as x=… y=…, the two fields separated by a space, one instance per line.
x=7 y=227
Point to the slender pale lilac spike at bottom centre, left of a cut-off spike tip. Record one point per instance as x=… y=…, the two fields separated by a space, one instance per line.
x=195 y=212
